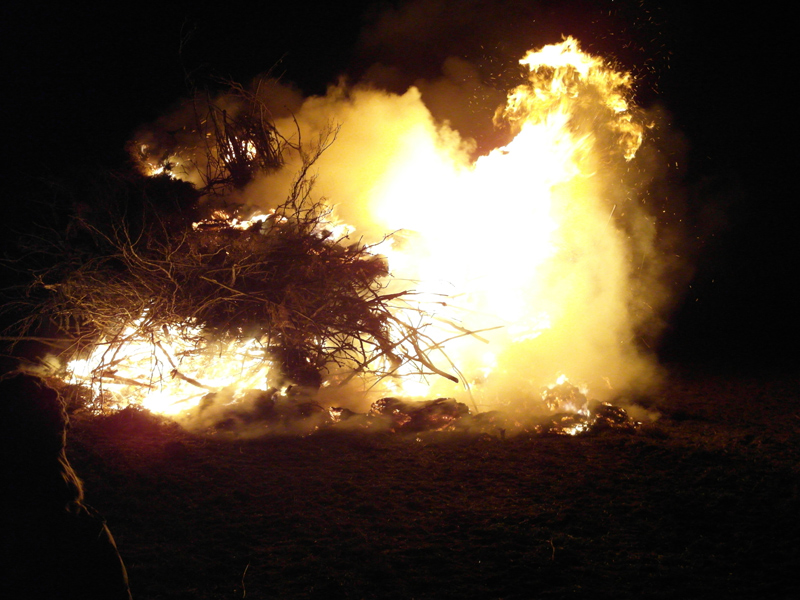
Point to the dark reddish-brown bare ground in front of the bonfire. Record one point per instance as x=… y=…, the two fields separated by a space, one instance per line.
x=701 y=503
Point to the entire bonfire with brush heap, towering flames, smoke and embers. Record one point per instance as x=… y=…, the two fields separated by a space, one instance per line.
x=187 y=290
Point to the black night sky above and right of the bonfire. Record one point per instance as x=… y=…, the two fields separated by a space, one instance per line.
x=79 y=81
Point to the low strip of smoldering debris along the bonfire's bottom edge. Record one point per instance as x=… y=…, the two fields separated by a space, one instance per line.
x=296 y=412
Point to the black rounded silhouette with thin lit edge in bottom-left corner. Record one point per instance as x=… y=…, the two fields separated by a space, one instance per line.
x=53 y=545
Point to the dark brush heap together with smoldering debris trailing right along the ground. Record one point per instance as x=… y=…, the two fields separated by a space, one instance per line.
x=152 y=304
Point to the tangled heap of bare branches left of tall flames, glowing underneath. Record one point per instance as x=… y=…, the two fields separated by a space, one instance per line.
x=158 y=306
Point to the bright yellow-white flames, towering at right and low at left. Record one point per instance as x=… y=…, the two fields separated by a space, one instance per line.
x=524 y=247
